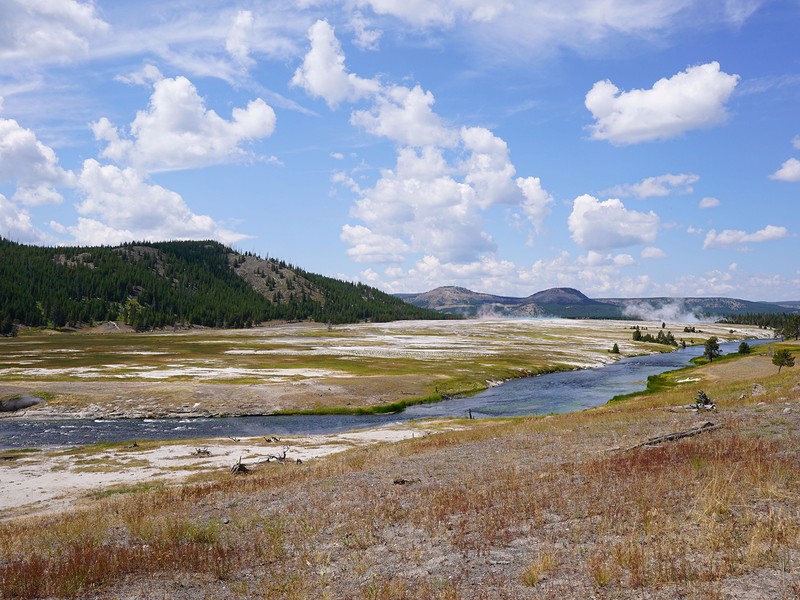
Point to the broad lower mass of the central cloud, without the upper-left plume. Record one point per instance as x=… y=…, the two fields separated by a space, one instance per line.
x=435 y=207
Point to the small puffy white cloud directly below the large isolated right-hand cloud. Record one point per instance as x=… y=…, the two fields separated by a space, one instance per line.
x=597 y=225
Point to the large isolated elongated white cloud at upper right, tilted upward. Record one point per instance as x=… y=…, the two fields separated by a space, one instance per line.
x=692 y=99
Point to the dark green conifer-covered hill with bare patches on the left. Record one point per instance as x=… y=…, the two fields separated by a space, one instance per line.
x=154 y=285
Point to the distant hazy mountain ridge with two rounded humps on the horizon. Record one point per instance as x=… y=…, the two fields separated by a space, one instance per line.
x=572 y=303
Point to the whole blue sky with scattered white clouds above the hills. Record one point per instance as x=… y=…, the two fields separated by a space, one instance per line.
x=622 y=147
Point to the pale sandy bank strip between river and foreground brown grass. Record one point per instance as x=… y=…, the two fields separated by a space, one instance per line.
x=54 y=480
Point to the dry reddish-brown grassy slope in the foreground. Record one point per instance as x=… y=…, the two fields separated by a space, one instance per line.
x=547 y=507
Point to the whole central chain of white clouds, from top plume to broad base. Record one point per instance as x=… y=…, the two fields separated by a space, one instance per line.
x=433 y=201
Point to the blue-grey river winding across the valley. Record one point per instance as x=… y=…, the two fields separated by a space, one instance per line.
x=545 y=394
